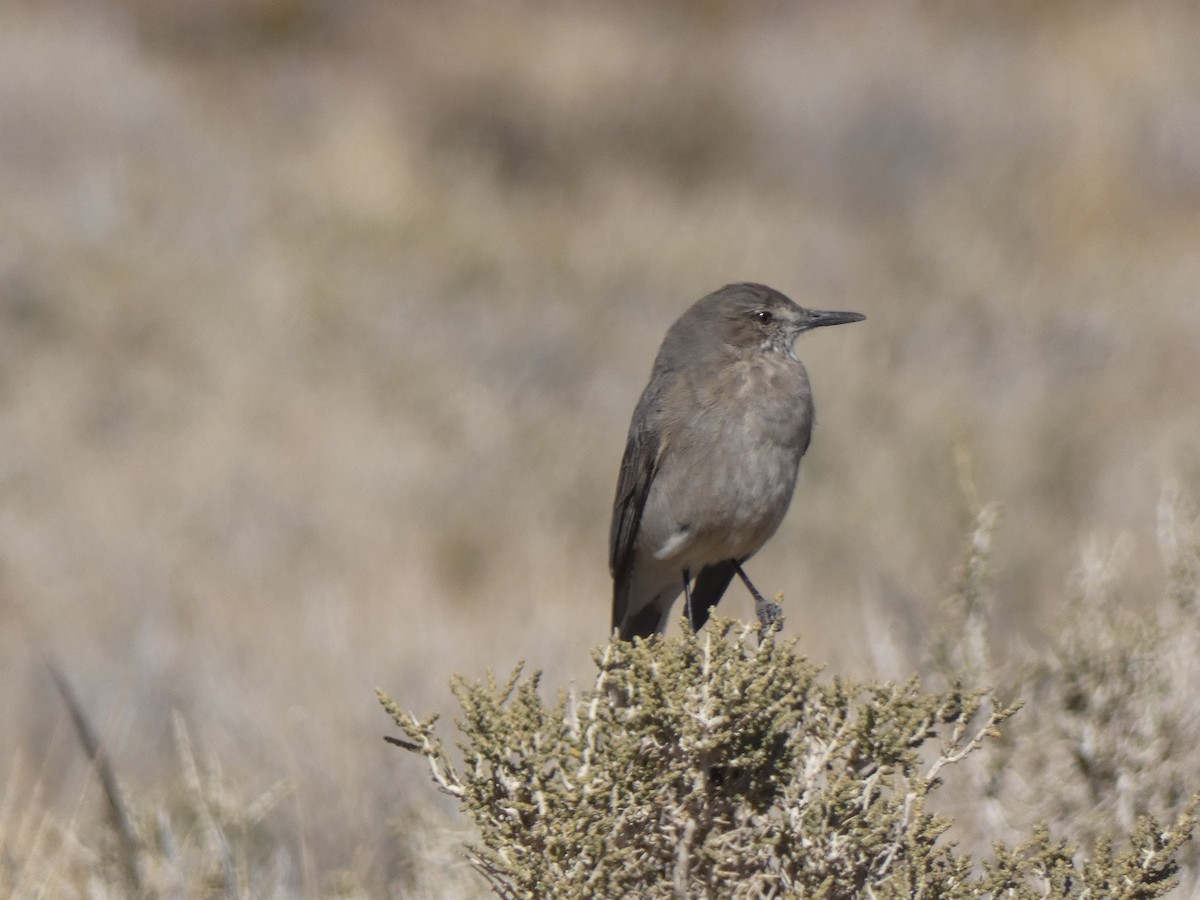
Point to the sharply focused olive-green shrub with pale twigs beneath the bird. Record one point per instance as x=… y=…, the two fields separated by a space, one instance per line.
x=706 y=766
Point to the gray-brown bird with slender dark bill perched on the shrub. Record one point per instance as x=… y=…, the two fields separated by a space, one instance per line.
x=715 y=449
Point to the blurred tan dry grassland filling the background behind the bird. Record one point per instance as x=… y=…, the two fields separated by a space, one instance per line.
x=322 y=322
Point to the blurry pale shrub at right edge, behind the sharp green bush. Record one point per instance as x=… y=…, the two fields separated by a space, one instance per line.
x=1112 y=733
